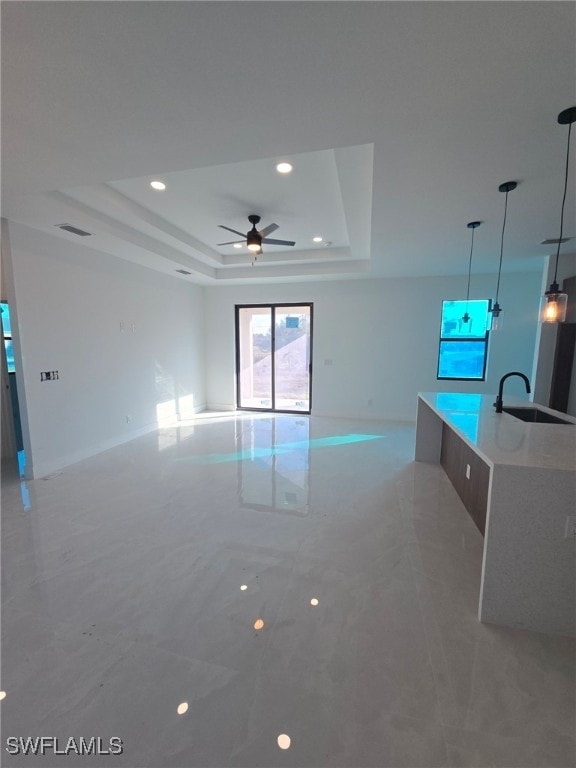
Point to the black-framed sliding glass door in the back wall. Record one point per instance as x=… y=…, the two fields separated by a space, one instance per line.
x=274 y=357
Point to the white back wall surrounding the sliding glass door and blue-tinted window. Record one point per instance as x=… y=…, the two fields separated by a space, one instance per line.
x=375 y=341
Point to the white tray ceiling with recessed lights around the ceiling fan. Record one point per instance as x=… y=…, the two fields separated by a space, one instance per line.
x=401 y=120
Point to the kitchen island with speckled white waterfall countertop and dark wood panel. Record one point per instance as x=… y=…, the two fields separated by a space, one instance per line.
x=518 y=481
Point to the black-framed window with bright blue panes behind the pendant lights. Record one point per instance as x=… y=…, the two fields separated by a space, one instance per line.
x=464 y=346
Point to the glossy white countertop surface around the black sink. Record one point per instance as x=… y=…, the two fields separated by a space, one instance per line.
x=500 y=438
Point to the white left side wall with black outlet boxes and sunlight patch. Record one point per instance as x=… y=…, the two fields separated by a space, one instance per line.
x=127 y=342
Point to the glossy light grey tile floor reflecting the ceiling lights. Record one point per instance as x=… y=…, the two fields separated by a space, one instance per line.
x=134 y=582
